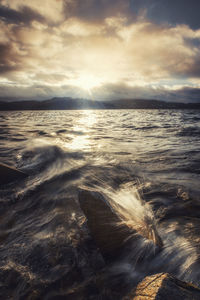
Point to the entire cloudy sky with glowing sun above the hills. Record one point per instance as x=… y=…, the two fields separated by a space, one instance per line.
x=100 y=49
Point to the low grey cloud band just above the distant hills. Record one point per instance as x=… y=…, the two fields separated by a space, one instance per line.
x=106 y=92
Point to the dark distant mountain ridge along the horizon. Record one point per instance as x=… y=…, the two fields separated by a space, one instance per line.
x=70 y=104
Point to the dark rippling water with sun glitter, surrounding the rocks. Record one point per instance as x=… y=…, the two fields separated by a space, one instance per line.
x=46 y=251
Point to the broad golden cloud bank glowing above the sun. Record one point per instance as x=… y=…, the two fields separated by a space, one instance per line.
x=88 y=54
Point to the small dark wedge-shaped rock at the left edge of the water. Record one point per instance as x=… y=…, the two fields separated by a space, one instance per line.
x=9 y=174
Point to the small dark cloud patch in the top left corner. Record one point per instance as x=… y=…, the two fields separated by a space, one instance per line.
x=26 y=15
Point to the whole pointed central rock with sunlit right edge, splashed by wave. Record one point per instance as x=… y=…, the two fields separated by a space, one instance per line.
x=110 y=232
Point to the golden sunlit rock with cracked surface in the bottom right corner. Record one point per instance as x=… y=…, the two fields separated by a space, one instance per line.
x=163 y=287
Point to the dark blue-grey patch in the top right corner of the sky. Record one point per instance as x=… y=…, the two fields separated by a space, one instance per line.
x=169 y=11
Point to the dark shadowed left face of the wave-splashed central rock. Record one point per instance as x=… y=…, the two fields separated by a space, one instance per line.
x=105 y=226
